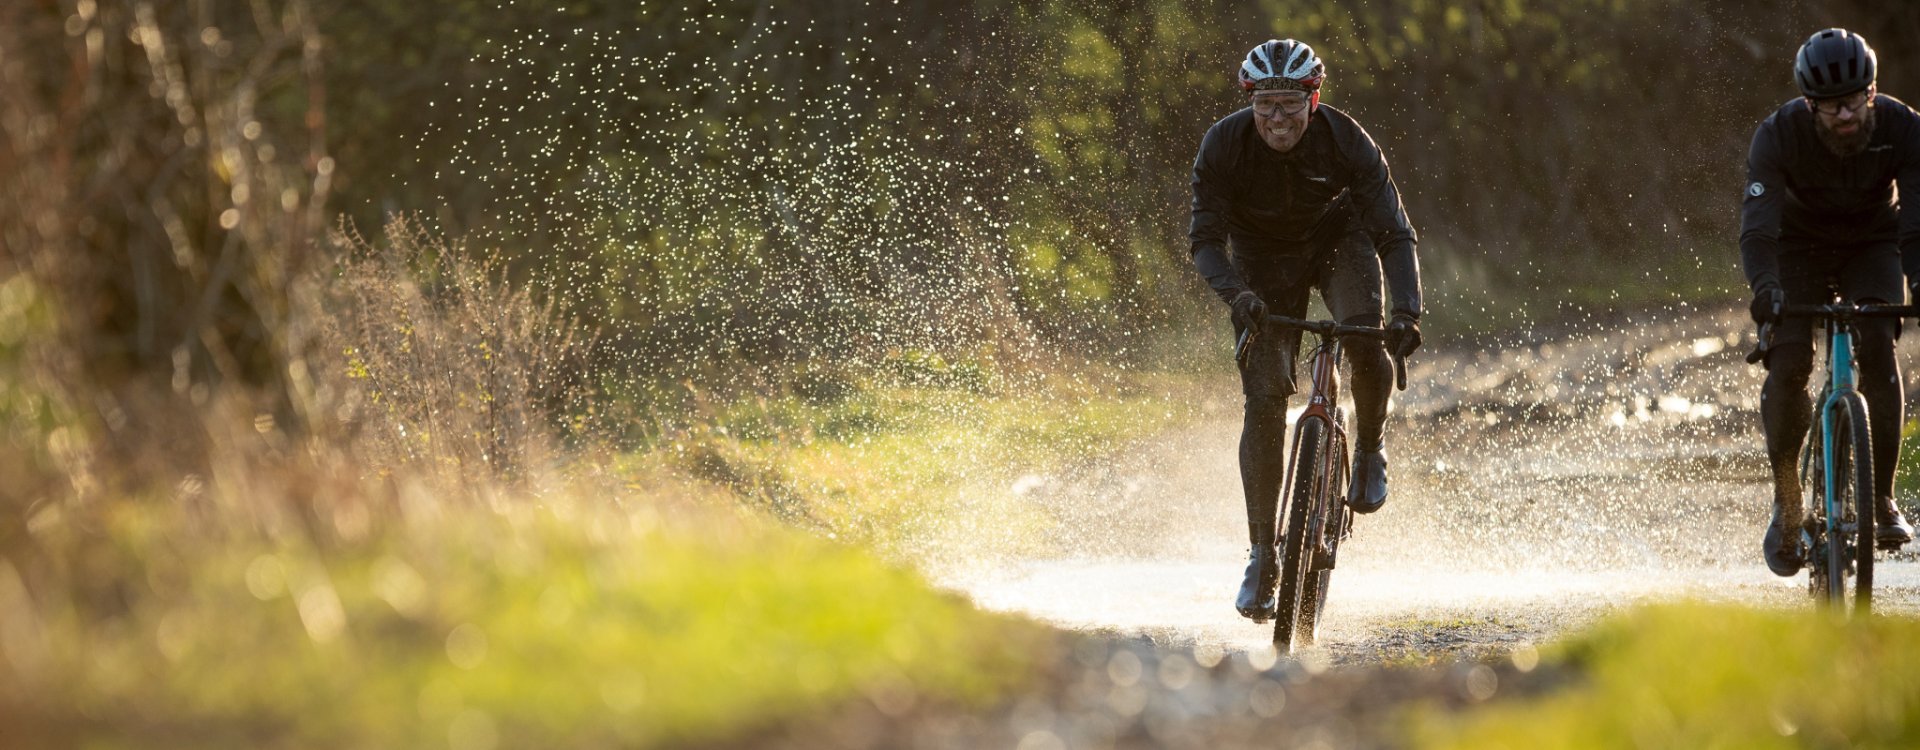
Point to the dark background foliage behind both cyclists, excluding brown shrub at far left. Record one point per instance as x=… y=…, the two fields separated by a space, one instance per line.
x=780 y=183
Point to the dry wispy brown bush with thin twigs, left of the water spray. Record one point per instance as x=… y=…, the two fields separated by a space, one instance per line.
x=444 y=365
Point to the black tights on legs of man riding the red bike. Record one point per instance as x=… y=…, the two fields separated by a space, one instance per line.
x=1264 y=434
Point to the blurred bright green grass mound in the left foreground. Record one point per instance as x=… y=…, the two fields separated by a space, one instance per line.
x=471 y=628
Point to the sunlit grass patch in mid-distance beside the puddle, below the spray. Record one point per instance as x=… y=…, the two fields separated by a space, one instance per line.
x=892 y=467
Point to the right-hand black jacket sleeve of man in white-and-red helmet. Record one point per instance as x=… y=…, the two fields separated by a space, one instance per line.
x=1385 y=220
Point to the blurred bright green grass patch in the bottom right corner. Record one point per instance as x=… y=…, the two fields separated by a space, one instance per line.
x=1692 y=676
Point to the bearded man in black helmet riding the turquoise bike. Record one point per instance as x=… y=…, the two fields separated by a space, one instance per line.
x=1823 y=218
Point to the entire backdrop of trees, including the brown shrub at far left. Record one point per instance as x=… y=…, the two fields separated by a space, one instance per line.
x=740 y=191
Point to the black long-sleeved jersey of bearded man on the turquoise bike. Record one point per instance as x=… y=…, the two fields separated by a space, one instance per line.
x=1804 y=195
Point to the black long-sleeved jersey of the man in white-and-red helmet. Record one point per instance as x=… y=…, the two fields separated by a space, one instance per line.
x=1268 y=202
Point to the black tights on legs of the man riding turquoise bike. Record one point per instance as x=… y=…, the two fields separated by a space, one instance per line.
x=1787 y=408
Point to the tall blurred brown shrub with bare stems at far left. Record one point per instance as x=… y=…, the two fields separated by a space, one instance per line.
x=166 y=185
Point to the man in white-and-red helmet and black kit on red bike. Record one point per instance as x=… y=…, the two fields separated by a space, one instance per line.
x=1307 y=202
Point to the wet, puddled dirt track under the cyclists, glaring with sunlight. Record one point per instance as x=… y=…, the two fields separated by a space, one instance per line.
x=1539 y=484
